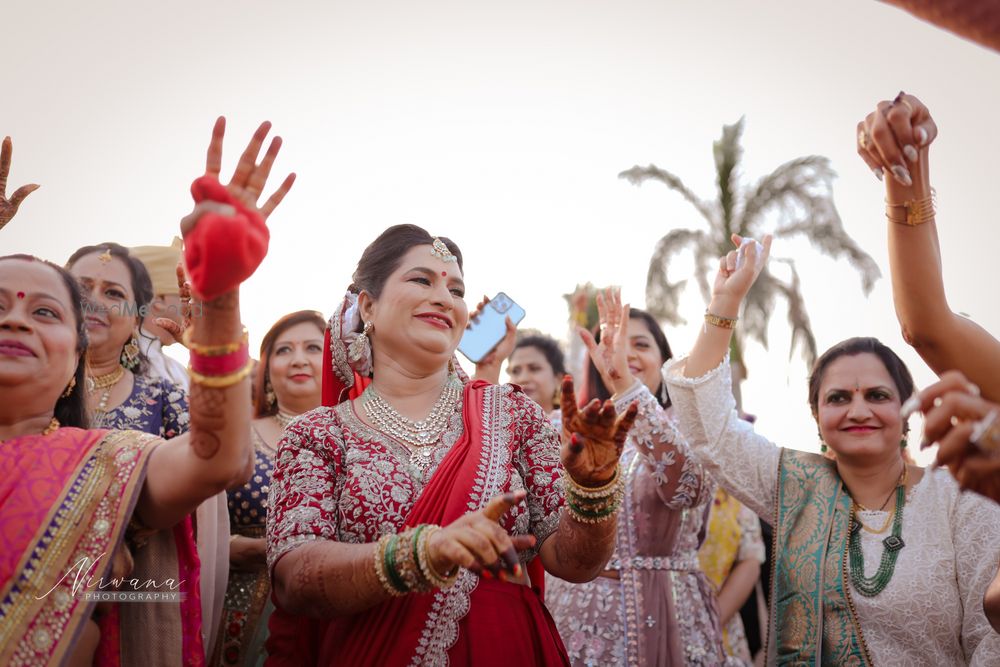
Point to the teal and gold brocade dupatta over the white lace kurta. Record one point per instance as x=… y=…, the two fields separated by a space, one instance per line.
x=811 y=618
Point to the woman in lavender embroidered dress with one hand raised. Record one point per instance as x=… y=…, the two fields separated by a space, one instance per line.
x=653 y=606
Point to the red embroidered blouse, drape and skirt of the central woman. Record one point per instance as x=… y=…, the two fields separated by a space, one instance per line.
x=337 y=479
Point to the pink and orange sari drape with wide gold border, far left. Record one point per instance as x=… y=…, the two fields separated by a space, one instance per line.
x=64 y=508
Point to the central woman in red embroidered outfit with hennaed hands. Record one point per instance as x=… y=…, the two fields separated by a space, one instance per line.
x=398 y=518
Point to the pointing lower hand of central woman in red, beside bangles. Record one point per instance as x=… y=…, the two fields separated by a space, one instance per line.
x=477 y=542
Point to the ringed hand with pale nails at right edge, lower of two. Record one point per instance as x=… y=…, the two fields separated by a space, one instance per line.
x=966 y=428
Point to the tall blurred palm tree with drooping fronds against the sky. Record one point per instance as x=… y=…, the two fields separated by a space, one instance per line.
x=799 y=192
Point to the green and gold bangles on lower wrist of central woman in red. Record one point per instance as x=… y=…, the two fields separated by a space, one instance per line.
x=403 y=565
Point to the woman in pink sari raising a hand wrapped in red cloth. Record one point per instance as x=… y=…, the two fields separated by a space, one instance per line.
x=79 y=506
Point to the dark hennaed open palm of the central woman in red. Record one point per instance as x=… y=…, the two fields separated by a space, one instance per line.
x=592 y=438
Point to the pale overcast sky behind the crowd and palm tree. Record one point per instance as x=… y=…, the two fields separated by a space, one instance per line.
x=503 y=126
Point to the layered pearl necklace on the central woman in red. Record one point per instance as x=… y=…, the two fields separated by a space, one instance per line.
x=420 y=436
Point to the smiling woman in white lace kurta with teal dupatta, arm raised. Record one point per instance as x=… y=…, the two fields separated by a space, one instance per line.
x=929 y=611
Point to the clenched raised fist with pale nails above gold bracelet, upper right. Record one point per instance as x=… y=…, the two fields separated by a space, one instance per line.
x=893 y=140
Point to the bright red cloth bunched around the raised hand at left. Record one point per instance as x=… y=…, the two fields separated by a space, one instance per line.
x=223 y=251
